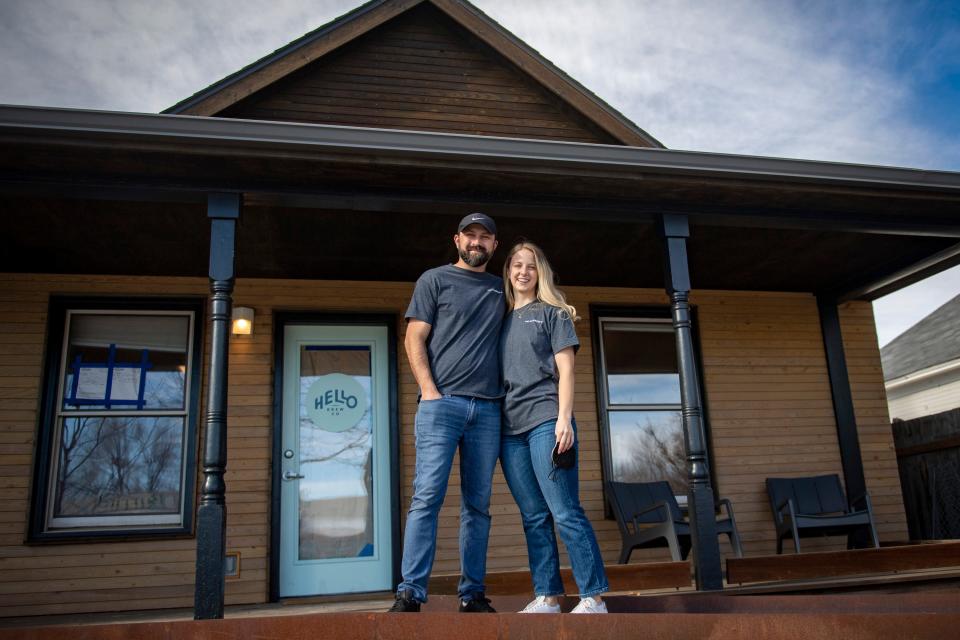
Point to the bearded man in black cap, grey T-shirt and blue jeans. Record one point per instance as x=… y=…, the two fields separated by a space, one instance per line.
x=453 y=330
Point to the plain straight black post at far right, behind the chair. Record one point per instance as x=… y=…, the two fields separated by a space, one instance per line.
x=850 y=458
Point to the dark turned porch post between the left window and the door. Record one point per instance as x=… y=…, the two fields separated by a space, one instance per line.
x=223 y=209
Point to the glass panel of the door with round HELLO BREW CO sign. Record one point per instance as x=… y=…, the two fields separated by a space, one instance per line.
x=336 y=447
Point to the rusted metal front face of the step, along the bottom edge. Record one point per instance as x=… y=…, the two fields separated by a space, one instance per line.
x=443 y=626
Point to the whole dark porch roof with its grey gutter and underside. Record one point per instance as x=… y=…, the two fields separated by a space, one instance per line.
x=326 y=201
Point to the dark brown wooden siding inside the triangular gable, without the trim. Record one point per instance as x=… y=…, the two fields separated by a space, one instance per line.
x=420 y=71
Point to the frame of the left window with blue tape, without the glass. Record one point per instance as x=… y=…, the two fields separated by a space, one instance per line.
x=59 y=308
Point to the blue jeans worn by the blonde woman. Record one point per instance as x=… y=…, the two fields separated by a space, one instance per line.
x=527 y=464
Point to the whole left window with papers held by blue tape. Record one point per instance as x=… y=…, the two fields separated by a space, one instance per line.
x=117 y=445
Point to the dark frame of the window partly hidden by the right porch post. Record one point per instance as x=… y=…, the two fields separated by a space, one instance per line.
x=642 y=313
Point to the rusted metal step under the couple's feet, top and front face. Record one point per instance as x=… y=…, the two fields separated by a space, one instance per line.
x=676 y=617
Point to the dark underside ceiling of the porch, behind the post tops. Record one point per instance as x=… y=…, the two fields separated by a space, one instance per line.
x=60 y=235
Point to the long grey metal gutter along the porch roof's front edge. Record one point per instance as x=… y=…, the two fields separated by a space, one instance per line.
x=266 y=138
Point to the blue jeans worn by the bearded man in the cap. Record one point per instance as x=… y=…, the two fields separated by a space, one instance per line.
x=441 y=426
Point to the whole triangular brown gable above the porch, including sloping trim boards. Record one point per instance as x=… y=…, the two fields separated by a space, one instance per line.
x=550 y=104
